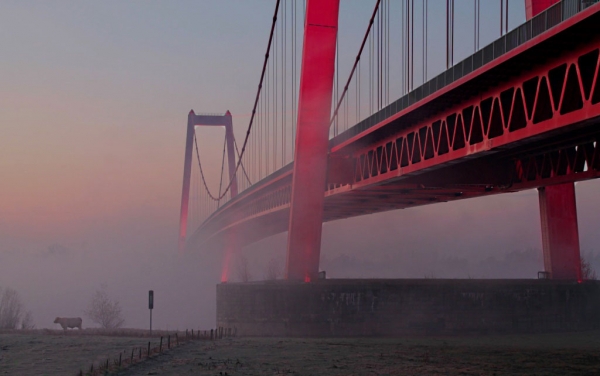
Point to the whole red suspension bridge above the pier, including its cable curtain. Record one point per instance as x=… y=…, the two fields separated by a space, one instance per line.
x=518 y=113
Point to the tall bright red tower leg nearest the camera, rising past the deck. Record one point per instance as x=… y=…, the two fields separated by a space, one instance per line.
x=310 y=159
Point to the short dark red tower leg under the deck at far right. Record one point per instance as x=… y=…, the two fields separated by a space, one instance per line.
x=560 y=237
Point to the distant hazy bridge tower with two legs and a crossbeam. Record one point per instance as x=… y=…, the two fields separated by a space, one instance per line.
x=203 y=120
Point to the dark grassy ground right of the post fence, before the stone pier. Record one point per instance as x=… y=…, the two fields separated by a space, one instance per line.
x=558 y=354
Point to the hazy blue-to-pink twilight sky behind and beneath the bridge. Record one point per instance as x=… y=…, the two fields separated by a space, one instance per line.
x=94 y=99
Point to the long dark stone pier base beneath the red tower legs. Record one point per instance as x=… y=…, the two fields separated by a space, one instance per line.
x=397 y=307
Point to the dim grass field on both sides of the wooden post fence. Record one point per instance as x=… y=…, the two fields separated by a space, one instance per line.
x=50 y=353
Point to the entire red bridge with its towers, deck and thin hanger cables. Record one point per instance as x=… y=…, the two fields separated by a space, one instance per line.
x=518 y=114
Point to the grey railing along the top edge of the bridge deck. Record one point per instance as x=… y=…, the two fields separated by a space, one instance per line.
x=544 y=21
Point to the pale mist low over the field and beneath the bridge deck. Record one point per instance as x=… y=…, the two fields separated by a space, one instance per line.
x=497 y=237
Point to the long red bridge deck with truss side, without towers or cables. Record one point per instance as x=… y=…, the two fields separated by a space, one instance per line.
x=517 y=122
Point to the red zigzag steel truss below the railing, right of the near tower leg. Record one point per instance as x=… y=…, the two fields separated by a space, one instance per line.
x=557 y=95
